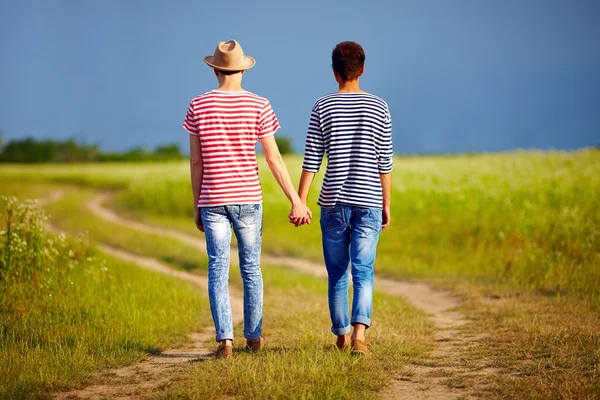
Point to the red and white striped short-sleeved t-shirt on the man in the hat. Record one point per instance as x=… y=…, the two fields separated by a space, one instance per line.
x=229 y=124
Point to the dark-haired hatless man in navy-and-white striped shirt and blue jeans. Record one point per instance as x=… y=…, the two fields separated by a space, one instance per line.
x=354 y=129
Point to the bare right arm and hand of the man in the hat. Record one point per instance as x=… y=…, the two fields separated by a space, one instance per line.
x=300 y=211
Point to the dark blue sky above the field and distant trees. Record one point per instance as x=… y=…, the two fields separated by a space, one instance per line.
x=461 y=75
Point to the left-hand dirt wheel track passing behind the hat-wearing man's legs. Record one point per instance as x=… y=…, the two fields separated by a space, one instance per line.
x=157 y=371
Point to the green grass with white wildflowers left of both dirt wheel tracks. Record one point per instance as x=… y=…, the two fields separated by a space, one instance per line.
x=66 y=311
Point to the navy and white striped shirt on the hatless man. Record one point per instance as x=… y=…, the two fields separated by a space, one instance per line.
x=355 y=131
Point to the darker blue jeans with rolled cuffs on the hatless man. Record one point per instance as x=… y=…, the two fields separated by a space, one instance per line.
x=350 y=236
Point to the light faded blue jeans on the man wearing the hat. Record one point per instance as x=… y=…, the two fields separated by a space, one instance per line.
x=246 y=220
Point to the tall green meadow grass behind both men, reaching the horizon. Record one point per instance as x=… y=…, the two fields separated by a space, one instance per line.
x=527 y=219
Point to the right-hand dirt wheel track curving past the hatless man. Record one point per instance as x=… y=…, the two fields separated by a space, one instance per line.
x=424 y=382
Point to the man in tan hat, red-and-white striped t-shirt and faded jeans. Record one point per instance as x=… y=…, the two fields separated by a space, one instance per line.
x=224 y=126
